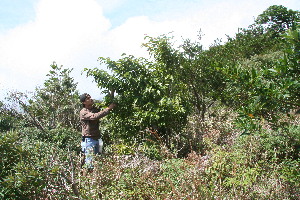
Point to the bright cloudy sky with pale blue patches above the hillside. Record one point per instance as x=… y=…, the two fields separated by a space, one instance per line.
x=74 y=33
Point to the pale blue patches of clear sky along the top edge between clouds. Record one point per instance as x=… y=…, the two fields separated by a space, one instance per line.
x=16 y=12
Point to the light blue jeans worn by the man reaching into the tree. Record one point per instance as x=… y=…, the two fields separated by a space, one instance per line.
x=90 y=147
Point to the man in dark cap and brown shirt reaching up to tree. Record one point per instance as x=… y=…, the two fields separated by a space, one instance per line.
x=89 y=119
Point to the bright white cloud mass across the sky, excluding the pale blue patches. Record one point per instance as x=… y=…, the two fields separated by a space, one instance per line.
x=74 y=33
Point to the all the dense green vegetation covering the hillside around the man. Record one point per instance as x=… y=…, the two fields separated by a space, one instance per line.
x=191 y=123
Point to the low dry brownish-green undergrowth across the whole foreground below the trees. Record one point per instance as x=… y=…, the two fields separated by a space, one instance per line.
x=263 y=165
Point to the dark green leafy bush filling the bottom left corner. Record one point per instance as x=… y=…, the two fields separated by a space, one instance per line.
x=17 y=180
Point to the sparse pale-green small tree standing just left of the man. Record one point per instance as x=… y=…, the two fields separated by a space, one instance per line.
x=54 y=105
